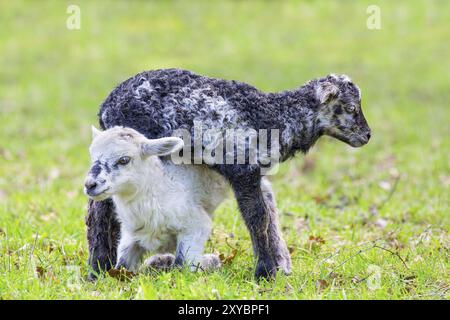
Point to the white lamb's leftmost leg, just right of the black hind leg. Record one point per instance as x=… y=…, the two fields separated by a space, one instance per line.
x=129 y=253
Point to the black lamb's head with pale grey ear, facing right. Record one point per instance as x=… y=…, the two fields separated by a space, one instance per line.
x=340 y=114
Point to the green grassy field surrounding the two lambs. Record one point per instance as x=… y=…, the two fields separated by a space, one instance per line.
x=369 y=223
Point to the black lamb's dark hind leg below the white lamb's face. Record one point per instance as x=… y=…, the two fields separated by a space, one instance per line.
x=103 y=231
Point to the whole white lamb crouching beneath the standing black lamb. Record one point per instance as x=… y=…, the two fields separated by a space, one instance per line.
x=161 y=206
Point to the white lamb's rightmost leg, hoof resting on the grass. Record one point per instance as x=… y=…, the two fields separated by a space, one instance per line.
x=190 y=245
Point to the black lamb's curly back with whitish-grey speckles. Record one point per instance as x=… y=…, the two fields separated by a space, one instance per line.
x=158 y=102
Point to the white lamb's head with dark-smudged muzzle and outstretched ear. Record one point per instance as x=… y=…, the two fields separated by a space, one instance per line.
x=119 y=157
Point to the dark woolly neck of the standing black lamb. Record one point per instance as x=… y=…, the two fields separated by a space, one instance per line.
x=294 y=112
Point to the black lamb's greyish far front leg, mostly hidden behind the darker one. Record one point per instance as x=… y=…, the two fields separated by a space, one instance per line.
x=276 y=241
